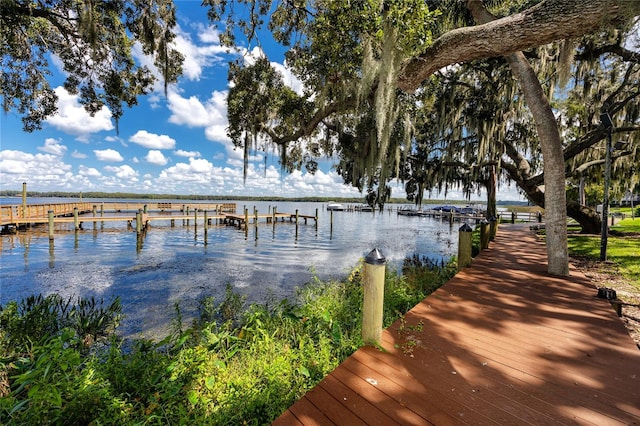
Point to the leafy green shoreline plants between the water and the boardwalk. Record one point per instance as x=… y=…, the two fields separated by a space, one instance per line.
x=231 y=366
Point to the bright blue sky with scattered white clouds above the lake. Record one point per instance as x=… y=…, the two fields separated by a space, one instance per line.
x=167 y=144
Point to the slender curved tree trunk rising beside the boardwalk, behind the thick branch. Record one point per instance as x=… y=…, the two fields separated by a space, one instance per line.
x=547 y=128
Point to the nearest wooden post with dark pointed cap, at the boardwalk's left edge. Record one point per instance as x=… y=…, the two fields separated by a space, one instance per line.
x=373 y=303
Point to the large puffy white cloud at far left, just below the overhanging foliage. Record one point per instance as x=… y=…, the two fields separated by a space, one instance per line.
x=72 y=118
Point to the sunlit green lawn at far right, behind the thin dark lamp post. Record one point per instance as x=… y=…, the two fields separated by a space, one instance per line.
x=623 y=248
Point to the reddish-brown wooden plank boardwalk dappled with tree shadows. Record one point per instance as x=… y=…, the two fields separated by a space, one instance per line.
x=502 y=343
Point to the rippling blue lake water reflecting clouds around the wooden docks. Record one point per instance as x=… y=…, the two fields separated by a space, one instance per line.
x=177 y=264
